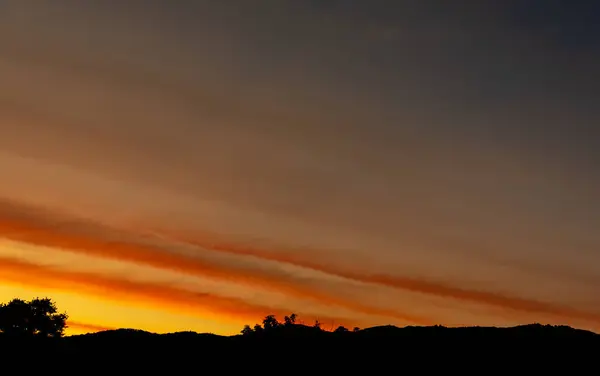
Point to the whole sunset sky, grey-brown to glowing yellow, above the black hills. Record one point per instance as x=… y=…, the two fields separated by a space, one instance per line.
x=174 y=166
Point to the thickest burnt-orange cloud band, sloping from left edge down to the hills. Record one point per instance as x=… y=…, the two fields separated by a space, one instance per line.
x=97 y=241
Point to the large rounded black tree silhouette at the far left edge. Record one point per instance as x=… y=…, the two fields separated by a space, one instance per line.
x=38 y=317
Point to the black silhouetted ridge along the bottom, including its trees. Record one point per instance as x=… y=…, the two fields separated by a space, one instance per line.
x=31 y=334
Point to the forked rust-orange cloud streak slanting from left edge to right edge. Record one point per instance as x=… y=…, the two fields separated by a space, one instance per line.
x=99 y=241
